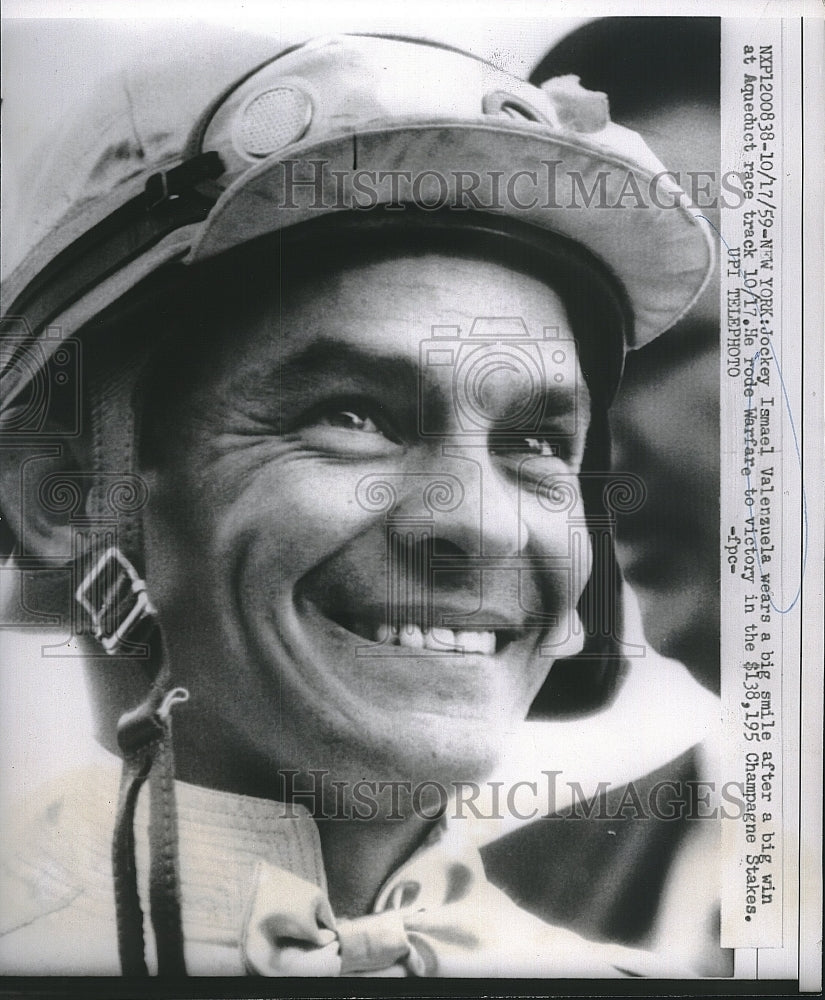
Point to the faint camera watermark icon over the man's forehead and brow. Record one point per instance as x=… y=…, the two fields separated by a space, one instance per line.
x=497 y=350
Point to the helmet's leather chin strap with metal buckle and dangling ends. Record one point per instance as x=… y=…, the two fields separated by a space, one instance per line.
x=113 y=595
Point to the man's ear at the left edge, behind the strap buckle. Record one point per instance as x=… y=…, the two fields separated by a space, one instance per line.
x=43 y=490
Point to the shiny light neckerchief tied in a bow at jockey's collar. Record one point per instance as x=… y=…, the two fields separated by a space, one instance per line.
x=437 y=916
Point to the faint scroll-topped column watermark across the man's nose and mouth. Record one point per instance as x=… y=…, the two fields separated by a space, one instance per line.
x=422 y=571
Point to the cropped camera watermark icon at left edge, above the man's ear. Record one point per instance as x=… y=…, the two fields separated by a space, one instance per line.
x=41 y=382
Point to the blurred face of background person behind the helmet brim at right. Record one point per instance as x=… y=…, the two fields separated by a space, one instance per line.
x=665 y=426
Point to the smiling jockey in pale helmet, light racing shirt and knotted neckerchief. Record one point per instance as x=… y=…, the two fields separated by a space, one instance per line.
x=335 y=500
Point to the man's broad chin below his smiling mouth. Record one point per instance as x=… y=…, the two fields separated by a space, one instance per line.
x=366 y=711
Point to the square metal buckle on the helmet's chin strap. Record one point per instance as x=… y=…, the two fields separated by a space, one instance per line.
x=114 y=596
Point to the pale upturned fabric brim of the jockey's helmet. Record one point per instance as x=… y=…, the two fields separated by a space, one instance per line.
x=661 y=254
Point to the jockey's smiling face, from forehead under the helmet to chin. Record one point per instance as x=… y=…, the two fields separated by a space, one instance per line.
x=367 y=541
